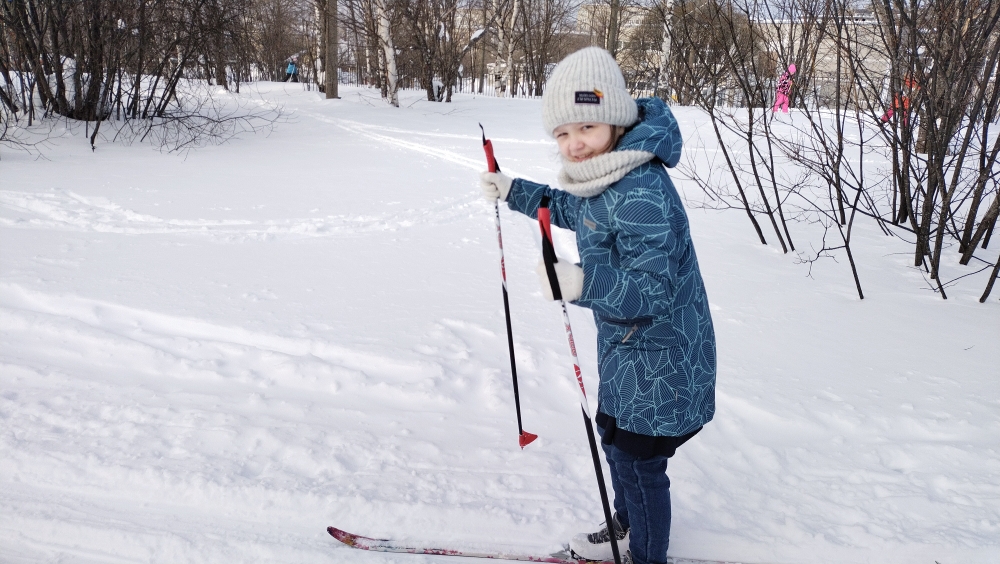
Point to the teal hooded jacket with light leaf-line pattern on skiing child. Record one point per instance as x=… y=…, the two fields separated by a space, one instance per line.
x=656 y=343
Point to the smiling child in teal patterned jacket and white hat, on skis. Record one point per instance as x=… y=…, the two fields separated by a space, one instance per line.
x=639 y=274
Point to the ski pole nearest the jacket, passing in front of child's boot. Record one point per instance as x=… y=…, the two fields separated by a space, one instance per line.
x=549 y=257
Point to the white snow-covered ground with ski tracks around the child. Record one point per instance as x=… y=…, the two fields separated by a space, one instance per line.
x=211 y=357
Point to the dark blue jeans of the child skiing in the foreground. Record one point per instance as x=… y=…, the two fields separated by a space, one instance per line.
x=642 y=500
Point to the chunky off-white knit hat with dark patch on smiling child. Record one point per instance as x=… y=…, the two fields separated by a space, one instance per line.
x=587 y=86
